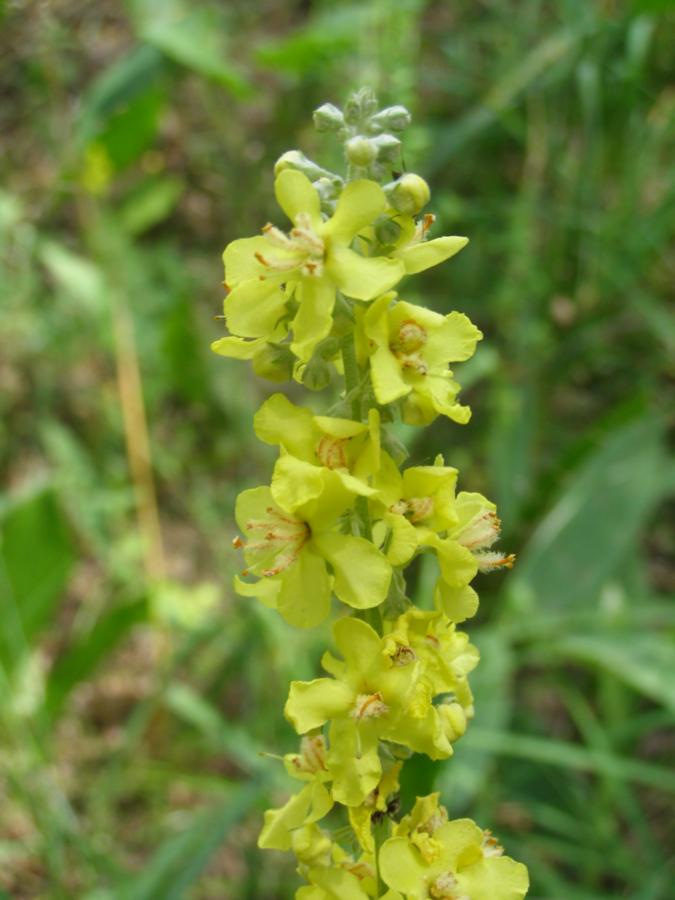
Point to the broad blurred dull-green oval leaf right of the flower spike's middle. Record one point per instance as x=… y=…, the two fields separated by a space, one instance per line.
x=594 y=523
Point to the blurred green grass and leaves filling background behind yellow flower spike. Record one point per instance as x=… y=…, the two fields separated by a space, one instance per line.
x=136 y=692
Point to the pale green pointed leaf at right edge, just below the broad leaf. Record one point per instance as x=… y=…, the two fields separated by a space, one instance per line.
x=644 y=660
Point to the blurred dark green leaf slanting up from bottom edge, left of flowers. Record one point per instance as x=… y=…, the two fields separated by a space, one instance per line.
x=180 y=860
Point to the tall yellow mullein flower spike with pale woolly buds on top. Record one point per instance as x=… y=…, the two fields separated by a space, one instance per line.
x=315 y=300
